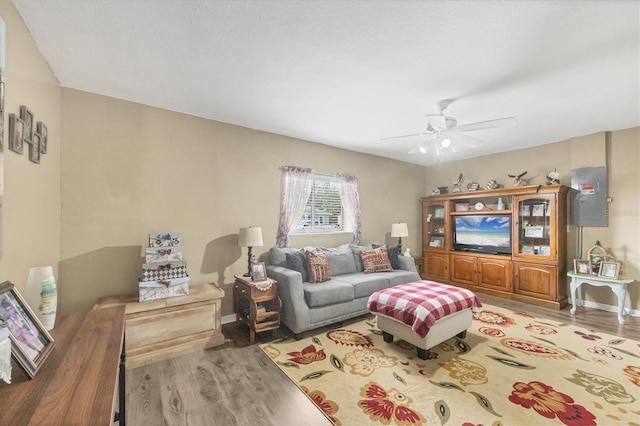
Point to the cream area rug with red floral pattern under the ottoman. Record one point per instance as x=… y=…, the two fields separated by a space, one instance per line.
x=512 y=368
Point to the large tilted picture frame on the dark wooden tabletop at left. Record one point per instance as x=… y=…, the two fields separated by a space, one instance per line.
x=31 y=342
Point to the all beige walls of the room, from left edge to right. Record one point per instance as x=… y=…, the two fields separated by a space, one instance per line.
x=126 y=170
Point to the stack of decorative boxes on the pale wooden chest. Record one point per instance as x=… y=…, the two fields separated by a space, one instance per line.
x=165 y=272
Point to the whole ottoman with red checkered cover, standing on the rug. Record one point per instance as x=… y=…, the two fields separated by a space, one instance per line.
x=423 y=313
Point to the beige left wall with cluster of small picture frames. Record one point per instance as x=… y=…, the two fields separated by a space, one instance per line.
x=30 y=224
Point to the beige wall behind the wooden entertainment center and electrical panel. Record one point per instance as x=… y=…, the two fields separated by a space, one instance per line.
x=619 y=151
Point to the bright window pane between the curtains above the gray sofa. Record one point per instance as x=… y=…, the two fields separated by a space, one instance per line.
x=323 y=212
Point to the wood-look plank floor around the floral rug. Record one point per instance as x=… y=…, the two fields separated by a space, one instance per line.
x=237 y=384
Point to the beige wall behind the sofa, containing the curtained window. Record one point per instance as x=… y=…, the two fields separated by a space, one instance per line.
x=130 y=169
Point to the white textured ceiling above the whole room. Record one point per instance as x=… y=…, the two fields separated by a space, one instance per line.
x=348 y=73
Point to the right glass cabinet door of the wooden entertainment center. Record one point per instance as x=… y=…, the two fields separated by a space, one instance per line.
x=535 y=227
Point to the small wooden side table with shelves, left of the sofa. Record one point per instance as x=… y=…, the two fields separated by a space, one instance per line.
x=257 y=307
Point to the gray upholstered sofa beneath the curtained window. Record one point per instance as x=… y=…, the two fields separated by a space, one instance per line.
x=306 y=305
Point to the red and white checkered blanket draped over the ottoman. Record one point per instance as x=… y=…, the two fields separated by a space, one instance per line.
x=420 y=304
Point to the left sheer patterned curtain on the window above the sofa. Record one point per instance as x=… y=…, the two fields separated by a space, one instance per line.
x=296 y=188
